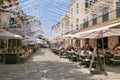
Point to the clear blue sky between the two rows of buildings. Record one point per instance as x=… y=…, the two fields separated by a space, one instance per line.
x=47 y=11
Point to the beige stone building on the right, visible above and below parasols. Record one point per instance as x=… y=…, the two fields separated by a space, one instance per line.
x=94 y=14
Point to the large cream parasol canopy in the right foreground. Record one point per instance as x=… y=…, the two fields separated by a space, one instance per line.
x=106 y=31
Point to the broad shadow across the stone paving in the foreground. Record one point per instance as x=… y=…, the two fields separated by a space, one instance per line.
x=45 y=70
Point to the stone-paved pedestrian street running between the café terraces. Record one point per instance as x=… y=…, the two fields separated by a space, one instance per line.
x=43 y=65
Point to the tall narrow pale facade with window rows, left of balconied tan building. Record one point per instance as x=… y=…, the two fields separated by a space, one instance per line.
x=76 y=14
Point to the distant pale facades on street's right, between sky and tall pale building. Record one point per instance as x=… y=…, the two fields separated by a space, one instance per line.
x=61 y=28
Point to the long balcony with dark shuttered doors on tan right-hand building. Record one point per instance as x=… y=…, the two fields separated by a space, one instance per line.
x=103 y=19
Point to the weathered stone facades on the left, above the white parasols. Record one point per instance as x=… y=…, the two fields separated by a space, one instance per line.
x=13 y=18
